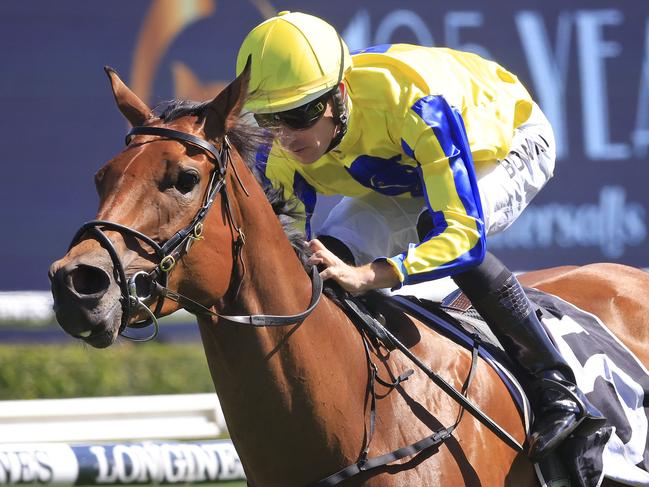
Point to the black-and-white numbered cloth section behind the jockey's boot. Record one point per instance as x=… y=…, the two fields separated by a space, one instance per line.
x=617 y=383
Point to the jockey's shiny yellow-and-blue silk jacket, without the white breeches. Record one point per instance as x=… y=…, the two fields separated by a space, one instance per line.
x=420 y=118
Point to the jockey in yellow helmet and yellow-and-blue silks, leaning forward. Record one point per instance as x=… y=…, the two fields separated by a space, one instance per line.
x=433 y=150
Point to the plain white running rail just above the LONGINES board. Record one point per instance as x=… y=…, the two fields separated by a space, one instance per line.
x=173 y=417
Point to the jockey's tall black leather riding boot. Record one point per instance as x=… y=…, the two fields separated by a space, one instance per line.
x=560 y=408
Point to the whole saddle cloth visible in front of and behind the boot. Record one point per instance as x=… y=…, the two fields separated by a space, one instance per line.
x=612 y=378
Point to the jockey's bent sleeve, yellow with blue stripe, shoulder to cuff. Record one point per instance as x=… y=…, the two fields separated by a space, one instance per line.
x=434 y=136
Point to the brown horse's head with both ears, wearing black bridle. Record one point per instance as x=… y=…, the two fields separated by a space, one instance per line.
x=154 y=199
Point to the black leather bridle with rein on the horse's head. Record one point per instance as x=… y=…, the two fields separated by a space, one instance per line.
x=143 y=288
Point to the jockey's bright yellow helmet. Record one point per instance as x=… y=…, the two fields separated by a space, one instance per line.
x=296 y=58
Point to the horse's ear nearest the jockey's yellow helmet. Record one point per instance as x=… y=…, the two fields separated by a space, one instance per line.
x=224 y=110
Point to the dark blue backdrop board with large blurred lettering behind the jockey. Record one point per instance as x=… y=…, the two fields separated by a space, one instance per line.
x=586 y=63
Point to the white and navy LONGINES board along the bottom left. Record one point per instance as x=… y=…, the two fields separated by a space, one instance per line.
x=147 y=463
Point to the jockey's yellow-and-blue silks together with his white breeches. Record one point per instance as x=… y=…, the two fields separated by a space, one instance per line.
x=473 y=158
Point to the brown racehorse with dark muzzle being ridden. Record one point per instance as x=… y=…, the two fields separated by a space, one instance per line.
x=295 y=397
